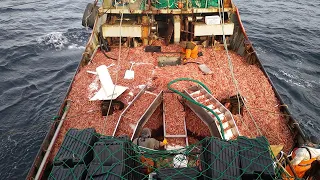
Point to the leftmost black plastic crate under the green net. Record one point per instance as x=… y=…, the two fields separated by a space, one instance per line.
x=76 y=147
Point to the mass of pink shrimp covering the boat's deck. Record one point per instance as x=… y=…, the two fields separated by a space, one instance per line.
x=253 y=85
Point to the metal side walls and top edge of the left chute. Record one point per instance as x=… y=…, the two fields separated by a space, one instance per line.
x=145 y=116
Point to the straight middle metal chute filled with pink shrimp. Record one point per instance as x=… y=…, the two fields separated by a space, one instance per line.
x=174 y=122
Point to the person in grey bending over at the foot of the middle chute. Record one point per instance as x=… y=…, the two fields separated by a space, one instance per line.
x=145 y=140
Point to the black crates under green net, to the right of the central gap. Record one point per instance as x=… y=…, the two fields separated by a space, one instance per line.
x=246 y=158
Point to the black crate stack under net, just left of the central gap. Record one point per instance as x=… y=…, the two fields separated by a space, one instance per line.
x=114 y=158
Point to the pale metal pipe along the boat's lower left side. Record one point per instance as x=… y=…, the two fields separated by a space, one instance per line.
x=44 y=160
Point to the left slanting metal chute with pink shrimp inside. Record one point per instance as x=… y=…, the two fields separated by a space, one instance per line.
x=138 y=123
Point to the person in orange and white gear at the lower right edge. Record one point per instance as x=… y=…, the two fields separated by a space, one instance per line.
x=304 y=156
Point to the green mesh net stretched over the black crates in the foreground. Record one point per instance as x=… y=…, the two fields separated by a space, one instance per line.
x=84 y=154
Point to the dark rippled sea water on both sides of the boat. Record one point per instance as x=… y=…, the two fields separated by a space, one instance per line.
x=41 y=42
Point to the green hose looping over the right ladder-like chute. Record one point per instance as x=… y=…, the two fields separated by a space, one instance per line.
x=195 y=102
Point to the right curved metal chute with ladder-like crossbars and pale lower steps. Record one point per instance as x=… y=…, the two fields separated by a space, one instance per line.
x=201 y=95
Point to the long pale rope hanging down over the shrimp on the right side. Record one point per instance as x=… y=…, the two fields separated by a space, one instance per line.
x=231 y=70
